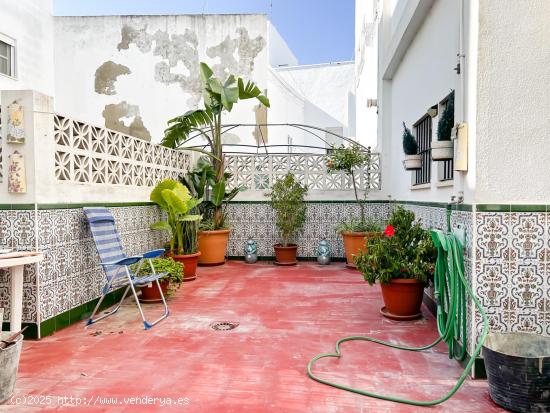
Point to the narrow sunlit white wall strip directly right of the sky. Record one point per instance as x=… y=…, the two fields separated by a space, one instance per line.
x=366 y=71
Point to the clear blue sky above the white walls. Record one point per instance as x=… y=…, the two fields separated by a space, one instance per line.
x=318 y=31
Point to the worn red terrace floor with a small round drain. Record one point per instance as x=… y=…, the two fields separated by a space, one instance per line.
x=286 y=316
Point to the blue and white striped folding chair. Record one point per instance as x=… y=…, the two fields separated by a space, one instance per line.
x=116 y=264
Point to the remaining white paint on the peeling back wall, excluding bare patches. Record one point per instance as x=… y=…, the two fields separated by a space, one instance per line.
x=82 y=44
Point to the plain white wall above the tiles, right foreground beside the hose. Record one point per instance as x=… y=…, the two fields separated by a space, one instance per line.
x=513 y=148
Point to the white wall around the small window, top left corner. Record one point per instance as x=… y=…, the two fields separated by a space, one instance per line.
x=30 y=24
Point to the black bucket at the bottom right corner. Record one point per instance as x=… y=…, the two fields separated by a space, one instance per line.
x=518 y=370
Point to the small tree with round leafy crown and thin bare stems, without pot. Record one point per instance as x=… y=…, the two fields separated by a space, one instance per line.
x=347 y=159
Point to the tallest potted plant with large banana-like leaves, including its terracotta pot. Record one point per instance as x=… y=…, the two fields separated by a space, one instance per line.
x=219 y=96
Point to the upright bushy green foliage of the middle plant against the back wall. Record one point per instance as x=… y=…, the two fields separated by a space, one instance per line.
x=287 y=199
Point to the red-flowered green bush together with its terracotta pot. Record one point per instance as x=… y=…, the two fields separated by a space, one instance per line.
x=401 y=259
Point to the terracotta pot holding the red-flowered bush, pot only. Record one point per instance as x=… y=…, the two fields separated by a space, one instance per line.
x=403 y=297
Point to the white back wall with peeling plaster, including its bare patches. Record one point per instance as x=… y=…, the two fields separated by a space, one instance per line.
x=134 y=73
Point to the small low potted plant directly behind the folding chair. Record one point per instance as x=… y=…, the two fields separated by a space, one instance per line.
x=174 y=277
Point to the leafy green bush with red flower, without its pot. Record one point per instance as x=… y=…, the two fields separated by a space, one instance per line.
x=409 y=253
